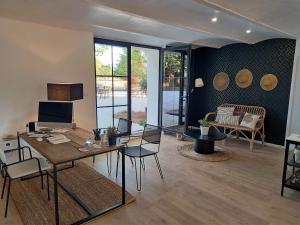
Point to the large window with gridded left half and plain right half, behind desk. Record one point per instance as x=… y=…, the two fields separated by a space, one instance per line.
x=140 y=102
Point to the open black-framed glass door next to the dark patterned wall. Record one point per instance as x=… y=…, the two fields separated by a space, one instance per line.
x=174 y=90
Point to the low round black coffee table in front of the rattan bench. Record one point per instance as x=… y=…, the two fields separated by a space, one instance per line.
x=205 y=144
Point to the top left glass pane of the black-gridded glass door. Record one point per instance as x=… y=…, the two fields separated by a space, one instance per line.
x=103 y=59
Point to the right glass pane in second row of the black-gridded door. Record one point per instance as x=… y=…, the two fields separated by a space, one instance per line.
x=120 y=90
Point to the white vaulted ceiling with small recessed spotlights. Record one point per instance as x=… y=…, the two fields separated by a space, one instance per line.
x=161 y=22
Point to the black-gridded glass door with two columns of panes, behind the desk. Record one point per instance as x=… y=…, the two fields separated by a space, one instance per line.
x=111 y=84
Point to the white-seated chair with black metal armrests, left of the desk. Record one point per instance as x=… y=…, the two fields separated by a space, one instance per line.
x=20 y=169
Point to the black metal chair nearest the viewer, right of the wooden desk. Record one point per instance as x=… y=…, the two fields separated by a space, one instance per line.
x=149 y=145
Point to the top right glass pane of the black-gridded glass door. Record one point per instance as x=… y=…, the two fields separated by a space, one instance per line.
x=120 y=61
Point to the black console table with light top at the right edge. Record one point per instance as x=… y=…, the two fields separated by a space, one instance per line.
x=289 y=163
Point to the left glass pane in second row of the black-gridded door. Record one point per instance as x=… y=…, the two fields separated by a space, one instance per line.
x=104 y=91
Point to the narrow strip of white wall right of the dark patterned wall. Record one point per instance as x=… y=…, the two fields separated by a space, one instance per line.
x=293 y=122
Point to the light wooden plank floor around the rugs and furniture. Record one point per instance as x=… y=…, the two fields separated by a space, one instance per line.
x=243 y=190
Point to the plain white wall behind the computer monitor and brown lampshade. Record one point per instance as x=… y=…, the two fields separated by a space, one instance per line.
x=31 y=55
